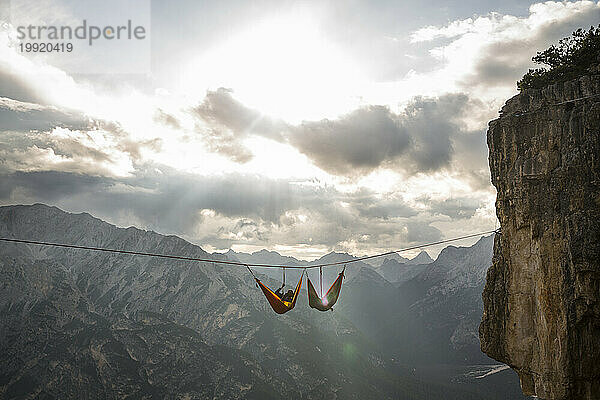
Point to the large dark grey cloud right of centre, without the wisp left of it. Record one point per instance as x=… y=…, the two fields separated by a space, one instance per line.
x=418 y=140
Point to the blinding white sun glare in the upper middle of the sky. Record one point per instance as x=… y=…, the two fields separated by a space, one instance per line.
x=284 y=67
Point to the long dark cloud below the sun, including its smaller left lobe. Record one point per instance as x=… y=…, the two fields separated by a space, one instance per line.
x=417 y=140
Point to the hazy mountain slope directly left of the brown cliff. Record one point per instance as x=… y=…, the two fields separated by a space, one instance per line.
x=442 y=307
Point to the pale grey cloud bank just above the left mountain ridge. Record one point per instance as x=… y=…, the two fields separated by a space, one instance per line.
x=167 y=199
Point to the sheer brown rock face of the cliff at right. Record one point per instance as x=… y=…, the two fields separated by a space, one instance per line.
x=542 y=296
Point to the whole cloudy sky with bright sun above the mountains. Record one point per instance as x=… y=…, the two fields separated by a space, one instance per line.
x=300 y=127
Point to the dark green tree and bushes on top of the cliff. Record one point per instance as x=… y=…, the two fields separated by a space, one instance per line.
x=572 y=57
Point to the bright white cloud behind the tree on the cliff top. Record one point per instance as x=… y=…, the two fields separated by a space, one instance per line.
x=495 y=50
